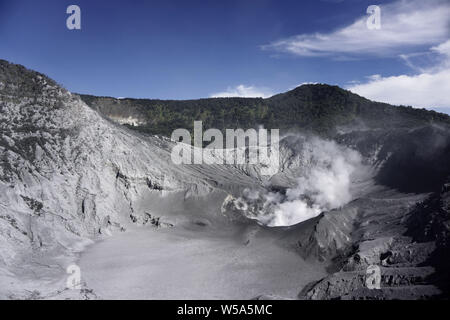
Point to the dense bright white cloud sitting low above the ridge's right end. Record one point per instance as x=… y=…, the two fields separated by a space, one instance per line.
x=429 y=88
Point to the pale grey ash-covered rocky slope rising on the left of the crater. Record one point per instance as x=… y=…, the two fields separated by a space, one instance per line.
x=68 y=176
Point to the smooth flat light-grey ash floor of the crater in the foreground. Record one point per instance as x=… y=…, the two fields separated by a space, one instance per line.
x=187 y=263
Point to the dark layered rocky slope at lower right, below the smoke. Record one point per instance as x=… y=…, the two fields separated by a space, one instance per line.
x=410 y=245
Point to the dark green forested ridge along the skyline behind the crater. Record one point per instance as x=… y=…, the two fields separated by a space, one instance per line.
x=318 y=108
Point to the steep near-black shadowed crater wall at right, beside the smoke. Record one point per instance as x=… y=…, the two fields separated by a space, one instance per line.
x=410 y=159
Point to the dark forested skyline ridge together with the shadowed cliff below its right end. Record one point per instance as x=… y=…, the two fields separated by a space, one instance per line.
x=413 y=145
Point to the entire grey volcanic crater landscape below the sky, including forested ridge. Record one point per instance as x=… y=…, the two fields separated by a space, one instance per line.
x=359 y=183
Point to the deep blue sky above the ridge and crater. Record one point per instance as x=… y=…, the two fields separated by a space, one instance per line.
x=191 y=49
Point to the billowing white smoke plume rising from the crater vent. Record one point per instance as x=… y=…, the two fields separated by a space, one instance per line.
x=327 y=171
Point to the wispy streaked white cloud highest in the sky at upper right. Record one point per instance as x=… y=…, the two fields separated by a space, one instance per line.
x=404 y=24
